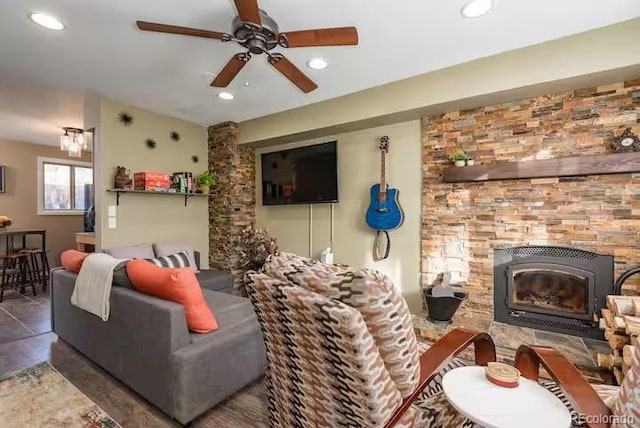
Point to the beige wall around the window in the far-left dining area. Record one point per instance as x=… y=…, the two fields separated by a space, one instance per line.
x=20 y=201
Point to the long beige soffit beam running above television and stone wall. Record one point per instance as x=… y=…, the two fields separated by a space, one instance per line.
x=536 y=70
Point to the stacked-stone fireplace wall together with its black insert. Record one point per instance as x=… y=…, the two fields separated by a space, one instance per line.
x=472 y=229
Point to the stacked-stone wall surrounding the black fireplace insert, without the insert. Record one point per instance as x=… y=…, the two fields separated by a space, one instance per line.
x=464 y=222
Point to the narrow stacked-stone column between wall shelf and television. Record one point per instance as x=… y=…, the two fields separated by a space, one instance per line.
x=232 y=206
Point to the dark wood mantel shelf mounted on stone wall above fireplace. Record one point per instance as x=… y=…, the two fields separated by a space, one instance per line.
x=615 y=163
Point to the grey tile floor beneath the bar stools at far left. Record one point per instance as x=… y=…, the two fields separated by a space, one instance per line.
x=24 y=315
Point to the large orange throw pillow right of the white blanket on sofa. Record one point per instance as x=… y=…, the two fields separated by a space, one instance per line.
x=178 y=285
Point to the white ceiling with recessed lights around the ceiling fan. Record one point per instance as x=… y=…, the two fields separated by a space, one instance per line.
x=45 y=75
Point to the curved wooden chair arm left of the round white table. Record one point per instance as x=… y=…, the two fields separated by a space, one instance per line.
x=431 y=362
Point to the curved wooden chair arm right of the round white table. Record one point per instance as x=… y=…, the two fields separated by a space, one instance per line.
x=585 y=399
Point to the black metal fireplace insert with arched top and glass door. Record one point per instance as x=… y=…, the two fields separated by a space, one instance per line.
x=551 y=288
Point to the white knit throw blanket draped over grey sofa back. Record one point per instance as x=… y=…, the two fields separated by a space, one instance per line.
x=93 y=284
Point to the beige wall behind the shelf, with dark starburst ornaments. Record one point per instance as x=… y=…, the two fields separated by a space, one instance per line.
x=147 y=218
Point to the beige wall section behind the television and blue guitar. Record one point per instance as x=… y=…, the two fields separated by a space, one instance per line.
x=358 y=169
